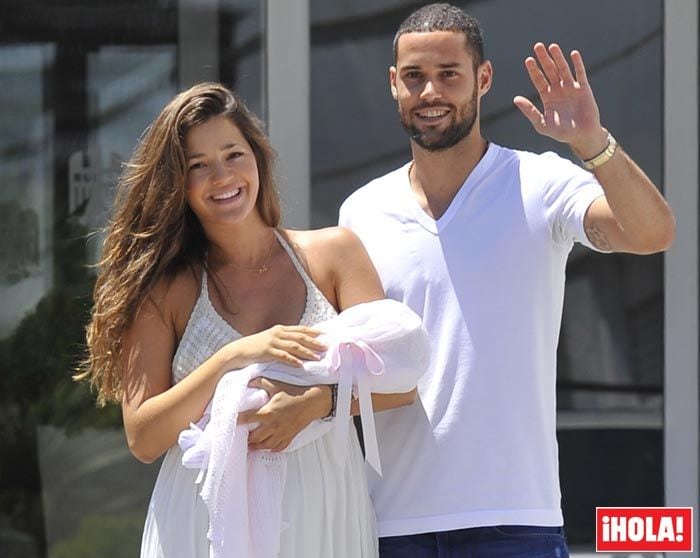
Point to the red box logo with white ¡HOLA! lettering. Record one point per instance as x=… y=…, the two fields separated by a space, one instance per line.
x=644 y=529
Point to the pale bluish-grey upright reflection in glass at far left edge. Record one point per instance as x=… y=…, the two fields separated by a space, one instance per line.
x=26 y=196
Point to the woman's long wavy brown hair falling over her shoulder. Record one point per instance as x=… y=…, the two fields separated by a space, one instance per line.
x=153 y=234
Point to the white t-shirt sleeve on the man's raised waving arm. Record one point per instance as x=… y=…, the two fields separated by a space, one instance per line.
x=569 y=191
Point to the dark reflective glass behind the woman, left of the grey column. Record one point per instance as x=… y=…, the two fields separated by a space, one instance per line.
x=80 y=82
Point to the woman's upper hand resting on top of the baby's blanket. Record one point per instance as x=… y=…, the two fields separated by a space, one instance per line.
x=287 y=344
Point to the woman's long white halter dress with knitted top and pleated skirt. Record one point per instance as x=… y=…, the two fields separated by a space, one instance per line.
x=326 y=512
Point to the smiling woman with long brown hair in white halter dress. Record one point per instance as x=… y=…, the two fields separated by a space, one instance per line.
x=196 y=280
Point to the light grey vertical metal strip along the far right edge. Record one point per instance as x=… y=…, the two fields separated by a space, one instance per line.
x=681 y=282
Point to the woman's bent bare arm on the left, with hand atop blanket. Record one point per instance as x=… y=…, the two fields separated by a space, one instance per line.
x=154 y=411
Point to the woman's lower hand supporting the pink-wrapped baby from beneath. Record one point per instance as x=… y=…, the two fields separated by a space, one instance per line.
x=290 y=409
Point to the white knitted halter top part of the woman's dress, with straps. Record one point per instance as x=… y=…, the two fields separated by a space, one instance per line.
x=206 y=331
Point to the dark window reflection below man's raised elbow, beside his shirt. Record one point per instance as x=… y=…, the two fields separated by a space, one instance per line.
x=611 y=343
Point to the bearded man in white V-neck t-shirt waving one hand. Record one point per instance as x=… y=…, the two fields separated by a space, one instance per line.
x=474 y=237
